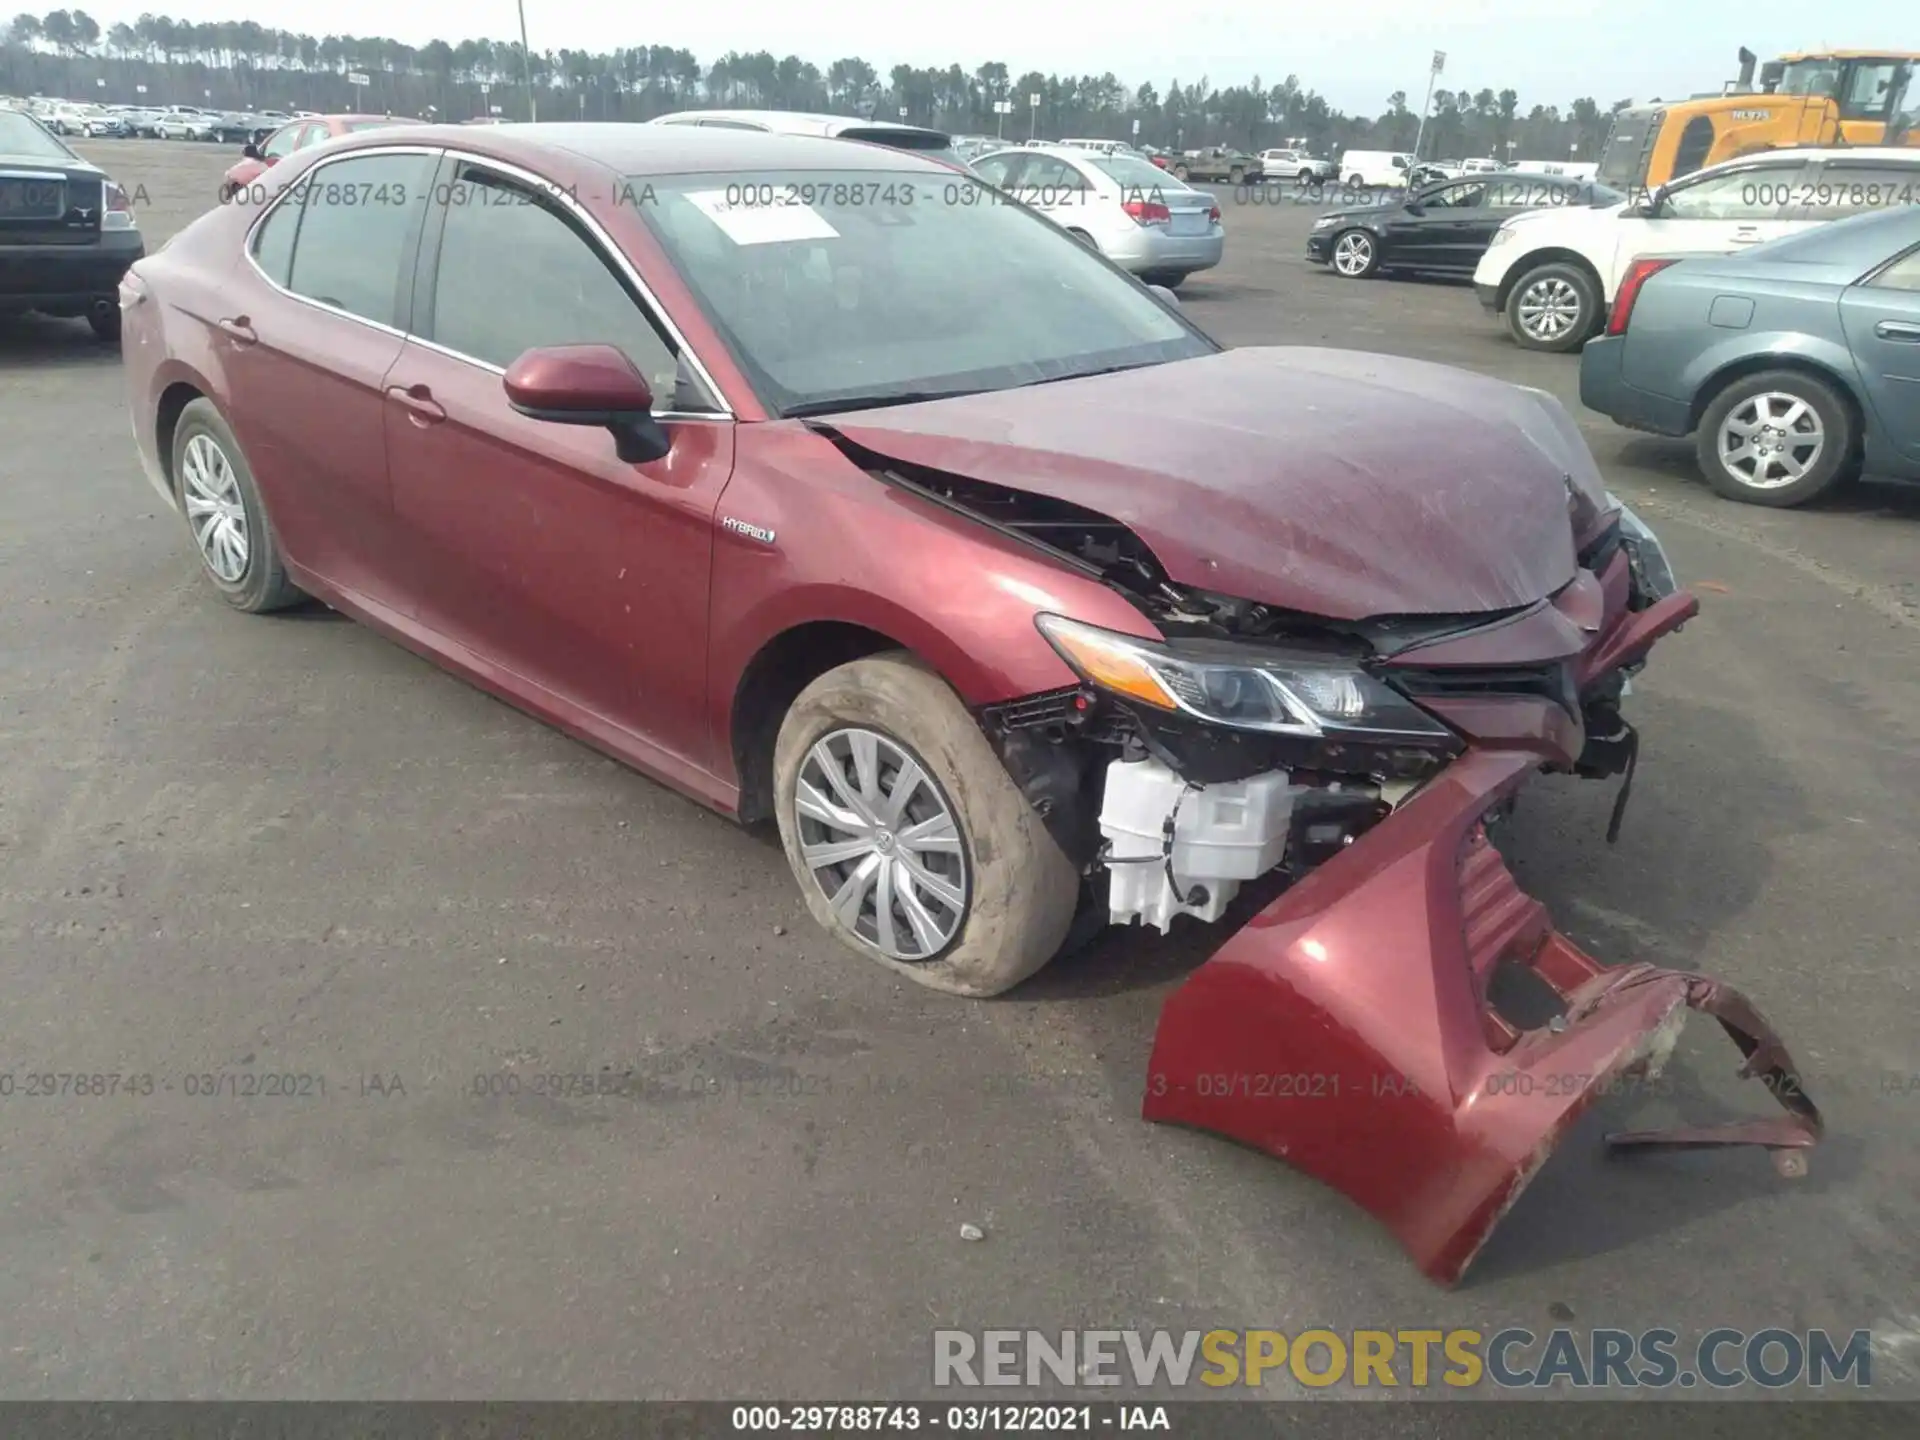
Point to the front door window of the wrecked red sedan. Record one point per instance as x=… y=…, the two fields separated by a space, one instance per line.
x=516 y=274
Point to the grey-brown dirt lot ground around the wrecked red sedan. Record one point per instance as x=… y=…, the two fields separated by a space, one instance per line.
x=237 y=846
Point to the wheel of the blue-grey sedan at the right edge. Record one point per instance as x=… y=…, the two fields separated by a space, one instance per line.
x=1775 y=439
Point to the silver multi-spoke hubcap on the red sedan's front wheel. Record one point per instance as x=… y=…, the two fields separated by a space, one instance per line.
x=882 y=842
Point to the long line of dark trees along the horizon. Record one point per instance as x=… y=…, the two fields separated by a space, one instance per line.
x=249 y=66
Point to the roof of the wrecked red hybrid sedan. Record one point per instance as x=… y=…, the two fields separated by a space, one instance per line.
x=648 y=149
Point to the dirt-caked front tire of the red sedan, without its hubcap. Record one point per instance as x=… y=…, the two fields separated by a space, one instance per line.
x=1022 y=886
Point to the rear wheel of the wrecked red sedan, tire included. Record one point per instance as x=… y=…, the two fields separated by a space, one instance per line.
x=228 y=516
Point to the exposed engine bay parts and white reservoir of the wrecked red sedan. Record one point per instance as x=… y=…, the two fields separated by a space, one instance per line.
x=1172 y=815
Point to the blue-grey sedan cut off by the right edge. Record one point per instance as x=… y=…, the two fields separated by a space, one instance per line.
x=1794 y=364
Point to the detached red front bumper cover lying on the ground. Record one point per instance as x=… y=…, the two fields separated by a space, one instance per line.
x=1349 y=1030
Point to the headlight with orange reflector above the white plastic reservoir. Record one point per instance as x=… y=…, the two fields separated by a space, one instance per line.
x=1274 y=692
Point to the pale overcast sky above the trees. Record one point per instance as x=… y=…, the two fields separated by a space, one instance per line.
x=1355 y=55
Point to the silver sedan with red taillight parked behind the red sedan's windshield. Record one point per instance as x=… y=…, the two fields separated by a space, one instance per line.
x=1124 y=206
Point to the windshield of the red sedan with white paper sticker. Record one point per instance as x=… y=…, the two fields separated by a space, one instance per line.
x=867 y=287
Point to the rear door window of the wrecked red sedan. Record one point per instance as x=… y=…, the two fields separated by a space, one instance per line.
x=356 y=222
